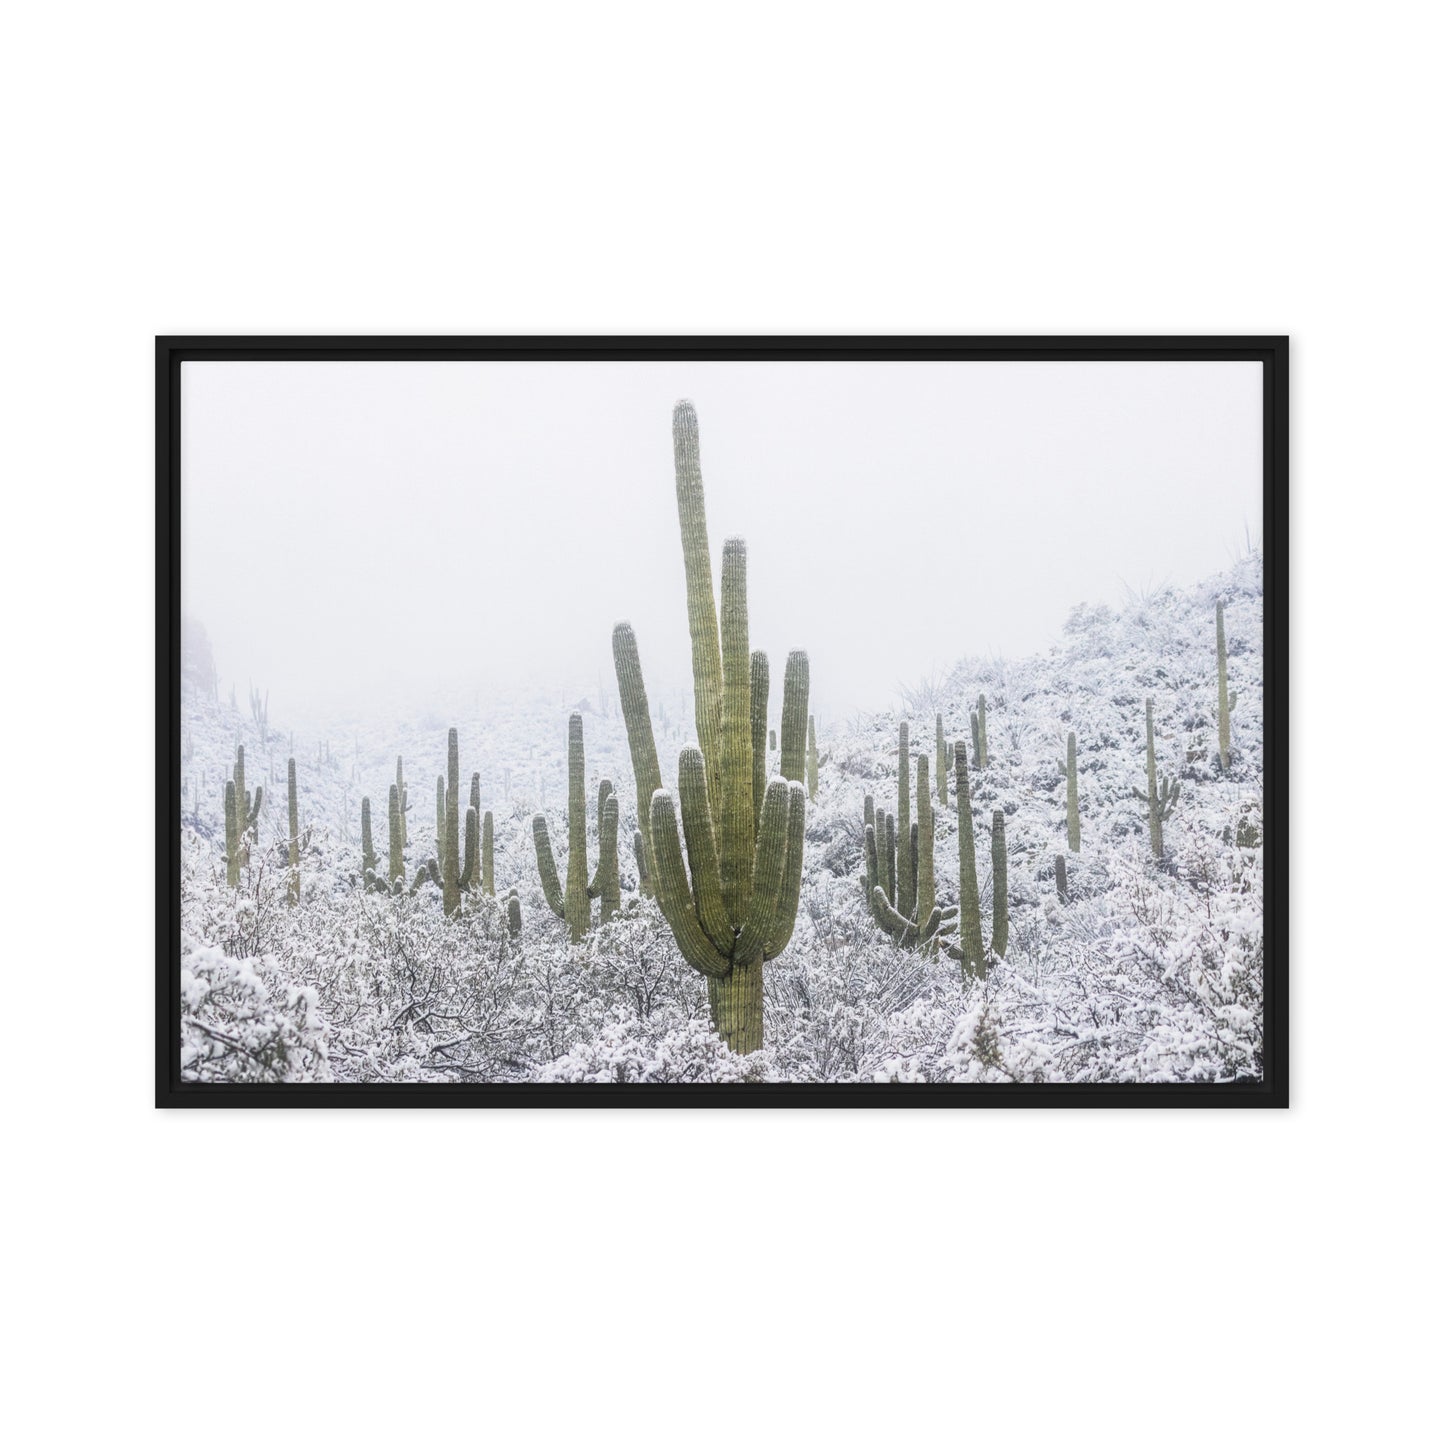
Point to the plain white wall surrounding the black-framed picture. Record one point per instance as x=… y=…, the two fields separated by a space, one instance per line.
x=751 y=168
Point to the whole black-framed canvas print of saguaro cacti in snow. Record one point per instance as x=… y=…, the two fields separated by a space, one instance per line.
x=722 y=722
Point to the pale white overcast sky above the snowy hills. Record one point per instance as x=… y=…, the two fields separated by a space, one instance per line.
x=356 y=530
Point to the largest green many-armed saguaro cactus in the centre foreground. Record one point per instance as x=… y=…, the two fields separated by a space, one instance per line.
x=733 y=904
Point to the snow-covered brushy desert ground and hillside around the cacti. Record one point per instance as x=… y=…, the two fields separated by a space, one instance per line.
x=1148 y=975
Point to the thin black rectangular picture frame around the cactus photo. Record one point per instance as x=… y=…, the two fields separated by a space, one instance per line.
x=1271 y=1092
